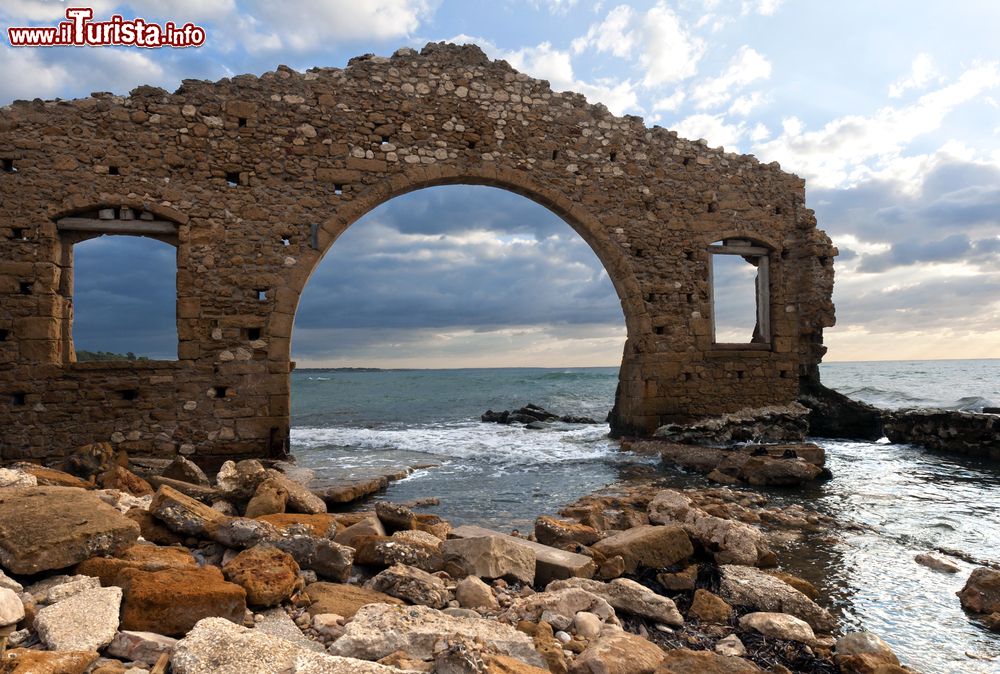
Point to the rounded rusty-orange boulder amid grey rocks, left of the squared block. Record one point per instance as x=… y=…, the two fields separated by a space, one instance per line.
x=268 y=575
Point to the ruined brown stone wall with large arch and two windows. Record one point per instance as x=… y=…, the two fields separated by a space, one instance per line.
x=313 y=152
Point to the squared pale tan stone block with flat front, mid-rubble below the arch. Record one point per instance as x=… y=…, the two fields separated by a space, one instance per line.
x=489 y=557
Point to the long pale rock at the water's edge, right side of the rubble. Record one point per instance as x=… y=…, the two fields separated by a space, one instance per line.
x=730 y=542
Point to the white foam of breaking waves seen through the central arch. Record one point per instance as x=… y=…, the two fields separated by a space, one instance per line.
x=493 y=443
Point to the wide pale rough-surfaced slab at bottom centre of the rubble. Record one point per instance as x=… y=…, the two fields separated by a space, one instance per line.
x=379 y=629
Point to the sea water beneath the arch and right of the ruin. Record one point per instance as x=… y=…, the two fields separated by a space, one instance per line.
x=891 y=502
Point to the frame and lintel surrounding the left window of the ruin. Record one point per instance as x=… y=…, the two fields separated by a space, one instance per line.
x=93 y=223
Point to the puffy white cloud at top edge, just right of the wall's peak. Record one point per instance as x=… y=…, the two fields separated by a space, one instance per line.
x=657 y=39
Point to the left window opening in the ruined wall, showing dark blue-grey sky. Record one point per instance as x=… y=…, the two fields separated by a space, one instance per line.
x=124 y=299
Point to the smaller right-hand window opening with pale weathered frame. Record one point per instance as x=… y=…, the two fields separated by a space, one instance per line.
x=740 y=291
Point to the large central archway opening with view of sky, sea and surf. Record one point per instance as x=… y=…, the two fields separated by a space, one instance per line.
x=430 y=309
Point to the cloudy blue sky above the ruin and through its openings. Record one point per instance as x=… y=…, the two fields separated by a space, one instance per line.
x=890 y=110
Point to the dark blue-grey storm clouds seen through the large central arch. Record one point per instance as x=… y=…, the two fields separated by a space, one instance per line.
x=458 y=256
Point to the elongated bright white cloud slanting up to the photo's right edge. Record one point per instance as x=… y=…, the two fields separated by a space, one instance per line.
x=852 y=147
